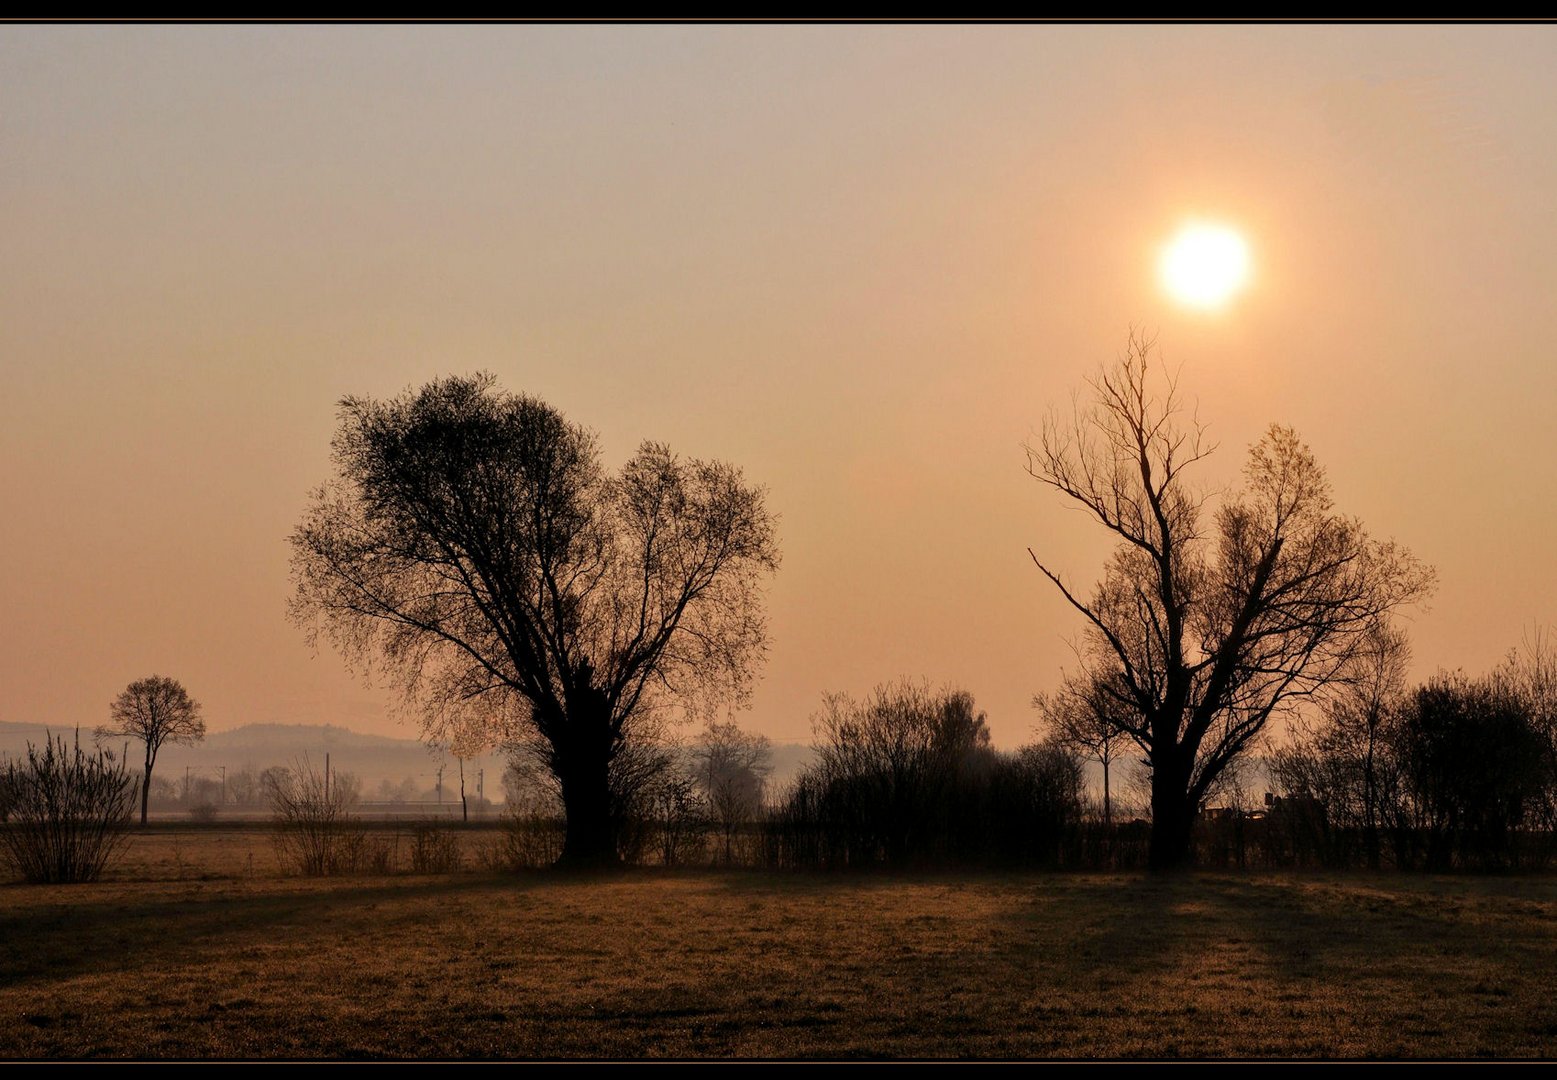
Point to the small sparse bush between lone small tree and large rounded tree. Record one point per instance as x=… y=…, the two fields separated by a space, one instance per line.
x=315 y=830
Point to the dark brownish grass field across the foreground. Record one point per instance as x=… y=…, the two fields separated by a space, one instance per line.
x=655 y=964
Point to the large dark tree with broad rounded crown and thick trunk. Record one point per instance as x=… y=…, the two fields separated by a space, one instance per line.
x=474 y=545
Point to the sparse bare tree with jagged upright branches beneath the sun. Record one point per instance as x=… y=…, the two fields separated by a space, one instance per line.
x=1203 y=634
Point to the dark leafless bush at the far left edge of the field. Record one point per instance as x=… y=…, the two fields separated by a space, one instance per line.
x=69 y=812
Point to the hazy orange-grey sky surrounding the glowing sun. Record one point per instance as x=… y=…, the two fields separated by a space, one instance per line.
x=859 y=262
